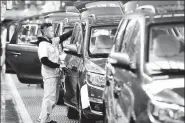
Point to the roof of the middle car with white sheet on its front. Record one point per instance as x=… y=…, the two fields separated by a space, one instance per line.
x=102 y=15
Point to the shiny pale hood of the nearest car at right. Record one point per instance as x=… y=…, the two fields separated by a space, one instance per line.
x=169 y=90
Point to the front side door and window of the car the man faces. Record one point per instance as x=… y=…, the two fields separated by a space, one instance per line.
x=72 y=63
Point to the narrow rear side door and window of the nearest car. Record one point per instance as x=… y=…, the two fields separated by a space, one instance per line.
x=109 y=89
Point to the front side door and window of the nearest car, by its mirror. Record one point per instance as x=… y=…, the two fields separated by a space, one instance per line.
x=123 y=95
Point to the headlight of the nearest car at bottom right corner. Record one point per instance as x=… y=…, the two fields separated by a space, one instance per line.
x=165 y=112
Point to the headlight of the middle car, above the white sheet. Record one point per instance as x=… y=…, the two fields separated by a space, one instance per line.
x=96 y=79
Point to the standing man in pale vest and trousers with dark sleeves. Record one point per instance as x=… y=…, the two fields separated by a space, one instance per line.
x=48 y=51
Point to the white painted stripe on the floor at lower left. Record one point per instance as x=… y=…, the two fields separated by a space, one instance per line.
x=19 y=103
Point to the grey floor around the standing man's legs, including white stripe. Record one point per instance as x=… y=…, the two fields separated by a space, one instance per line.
x=21 y=103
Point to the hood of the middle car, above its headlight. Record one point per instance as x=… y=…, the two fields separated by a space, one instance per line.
x=96 y=65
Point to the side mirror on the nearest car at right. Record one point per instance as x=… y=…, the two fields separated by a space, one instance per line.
x=121 y=60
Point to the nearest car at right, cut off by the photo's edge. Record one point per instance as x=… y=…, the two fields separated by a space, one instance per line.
x=145 y=68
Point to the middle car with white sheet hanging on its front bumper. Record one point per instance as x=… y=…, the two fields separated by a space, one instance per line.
x=87 y=52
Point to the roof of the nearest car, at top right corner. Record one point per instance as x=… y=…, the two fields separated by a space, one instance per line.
x=159 y=13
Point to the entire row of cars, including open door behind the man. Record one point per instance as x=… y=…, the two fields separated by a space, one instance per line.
x=122 y=66
